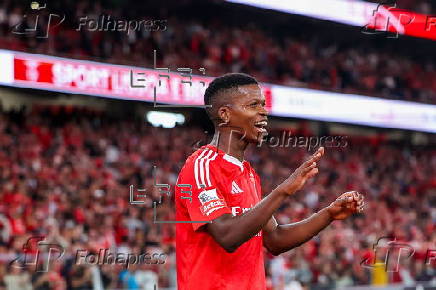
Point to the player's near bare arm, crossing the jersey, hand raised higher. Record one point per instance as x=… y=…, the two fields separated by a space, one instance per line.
x=231 y=232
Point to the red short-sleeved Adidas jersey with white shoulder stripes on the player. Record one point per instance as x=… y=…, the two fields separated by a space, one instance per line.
x=220 y=184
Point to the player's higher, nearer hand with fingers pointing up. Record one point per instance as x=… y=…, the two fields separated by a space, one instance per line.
x=307 y=170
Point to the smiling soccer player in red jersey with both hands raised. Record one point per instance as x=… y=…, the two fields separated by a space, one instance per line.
x=229 y=223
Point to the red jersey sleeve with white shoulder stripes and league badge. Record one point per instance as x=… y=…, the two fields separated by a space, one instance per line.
x=208 y=194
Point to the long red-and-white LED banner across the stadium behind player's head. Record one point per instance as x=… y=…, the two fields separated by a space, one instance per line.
x=182 y=89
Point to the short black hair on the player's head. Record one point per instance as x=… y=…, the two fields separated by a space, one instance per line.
x=214 y=93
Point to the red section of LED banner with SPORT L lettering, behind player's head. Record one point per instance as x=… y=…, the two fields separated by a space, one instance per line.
x=115 y=81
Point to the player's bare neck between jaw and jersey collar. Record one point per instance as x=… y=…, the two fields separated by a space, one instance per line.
x=231 y=144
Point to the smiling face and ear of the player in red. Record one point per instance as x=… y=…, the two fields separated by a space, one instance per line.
x=246 y=115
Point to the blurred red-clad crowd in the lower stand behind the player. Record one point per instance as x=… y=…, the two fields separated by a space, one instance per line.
x=66 y=175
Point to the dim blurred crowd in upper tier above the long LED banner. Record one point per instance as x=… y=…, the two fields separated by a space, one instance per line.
x=299 y=58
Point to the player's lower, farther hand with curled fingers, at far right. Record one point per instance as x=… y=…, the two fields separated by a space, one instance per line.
x=345 y=205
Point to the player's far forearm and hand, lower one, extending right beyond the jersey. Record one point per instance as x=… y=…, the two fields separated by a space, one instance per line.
x=281 y=238
